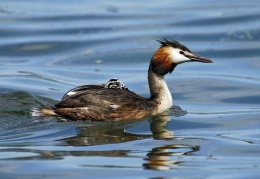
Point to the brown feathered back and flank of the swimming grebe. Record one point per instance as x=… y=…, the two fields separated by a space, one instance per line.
x=103 y=105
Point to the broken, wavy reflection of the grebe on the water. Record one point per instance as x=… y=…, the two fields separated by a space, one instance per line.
x=163 y=157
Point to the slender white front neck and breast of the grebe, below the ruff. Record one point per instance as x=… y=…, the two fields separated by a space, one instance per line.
x=160 y=93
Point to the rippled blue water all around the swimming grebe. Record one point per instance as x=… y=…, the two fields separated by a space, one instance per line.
x=47 y=48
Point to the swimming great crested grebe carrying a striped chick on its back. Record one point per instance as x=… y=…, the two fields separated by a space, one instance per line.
x=114 y=102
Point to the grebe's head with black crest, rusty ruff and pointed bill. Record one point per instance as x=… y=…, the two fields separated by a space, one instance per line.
x=170 y=54
